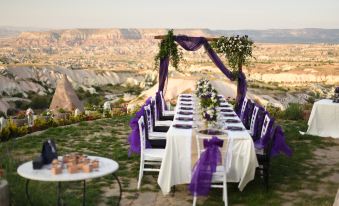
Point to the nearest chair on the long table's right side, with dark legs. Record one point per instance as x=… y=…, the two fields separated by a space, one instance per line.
x=263 y=147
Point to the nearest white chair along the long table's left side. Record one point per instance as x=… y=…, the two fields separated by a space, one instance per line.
x=148 y=156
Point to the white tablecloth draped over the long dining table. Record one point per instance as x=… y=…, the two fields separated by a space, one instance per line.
x=176 y=167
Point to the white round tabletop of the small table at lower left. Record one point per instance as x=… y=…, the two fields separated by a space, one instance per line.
x=106 y=167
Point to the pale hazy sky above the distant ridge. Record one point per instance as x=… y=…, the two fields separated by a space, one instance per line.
x=212 y=14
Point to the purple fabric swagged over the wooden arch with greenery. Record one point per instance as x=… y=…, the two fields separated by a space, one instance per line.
x=193 y=44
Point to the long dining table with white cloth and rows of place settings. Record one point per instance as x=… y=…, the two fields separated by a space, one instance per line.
x=181 y=153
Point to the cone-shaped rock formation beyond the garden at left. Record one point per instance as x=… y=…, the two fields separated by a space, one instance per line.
x=65 y=97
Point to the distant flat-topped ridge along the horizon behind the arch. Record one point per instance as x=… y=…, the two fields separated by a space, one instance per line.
x=310 y=35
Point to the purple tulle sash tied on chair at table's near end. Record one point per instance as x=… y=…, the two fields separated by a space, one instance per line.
x=205 y=167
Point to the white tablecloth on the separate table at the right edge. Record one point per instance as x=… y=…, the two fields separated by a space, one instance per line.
x=324 y=119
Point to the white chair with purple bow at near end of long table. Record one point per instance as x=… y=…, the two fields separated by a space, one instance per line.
x=211 y=169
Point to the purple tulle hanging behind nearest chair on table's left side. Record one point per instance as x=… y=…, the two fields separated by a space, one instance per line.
x=134 y=137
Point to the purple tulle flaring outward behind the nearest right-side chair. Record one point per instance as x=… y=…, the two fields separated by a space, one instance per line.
x=279 y=144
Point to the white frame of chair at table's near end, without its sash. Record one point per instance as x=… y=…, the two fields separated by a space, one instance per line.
x=219 y=178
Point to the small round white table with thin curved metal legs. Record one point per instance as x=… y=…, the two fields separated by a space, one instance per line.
x=106 y=167
